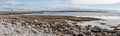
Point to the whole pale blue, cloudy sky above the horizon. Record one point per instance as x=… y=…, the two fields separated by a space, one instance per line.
x=22 y=5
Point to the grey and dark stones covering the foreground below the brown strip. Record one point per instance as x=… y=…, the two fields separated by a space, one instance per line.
x=57 y=28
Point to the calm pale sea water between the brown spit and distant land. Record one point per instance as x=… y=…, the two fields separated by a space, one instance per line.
x=84 y=14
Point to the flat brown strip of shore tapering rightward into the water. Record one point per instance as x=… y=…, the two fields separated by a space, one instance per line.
x=36 y=17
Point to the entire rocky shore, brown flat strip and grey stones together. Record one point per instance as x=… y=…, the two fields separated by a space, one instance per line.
x=32 y=25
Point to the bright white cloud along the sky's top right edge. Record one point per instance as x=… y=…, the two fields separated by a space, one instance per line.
x=94 y=1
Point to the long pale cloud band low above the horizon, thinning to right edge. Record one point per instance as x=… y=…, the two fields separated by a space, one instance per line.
x=31 y=7
